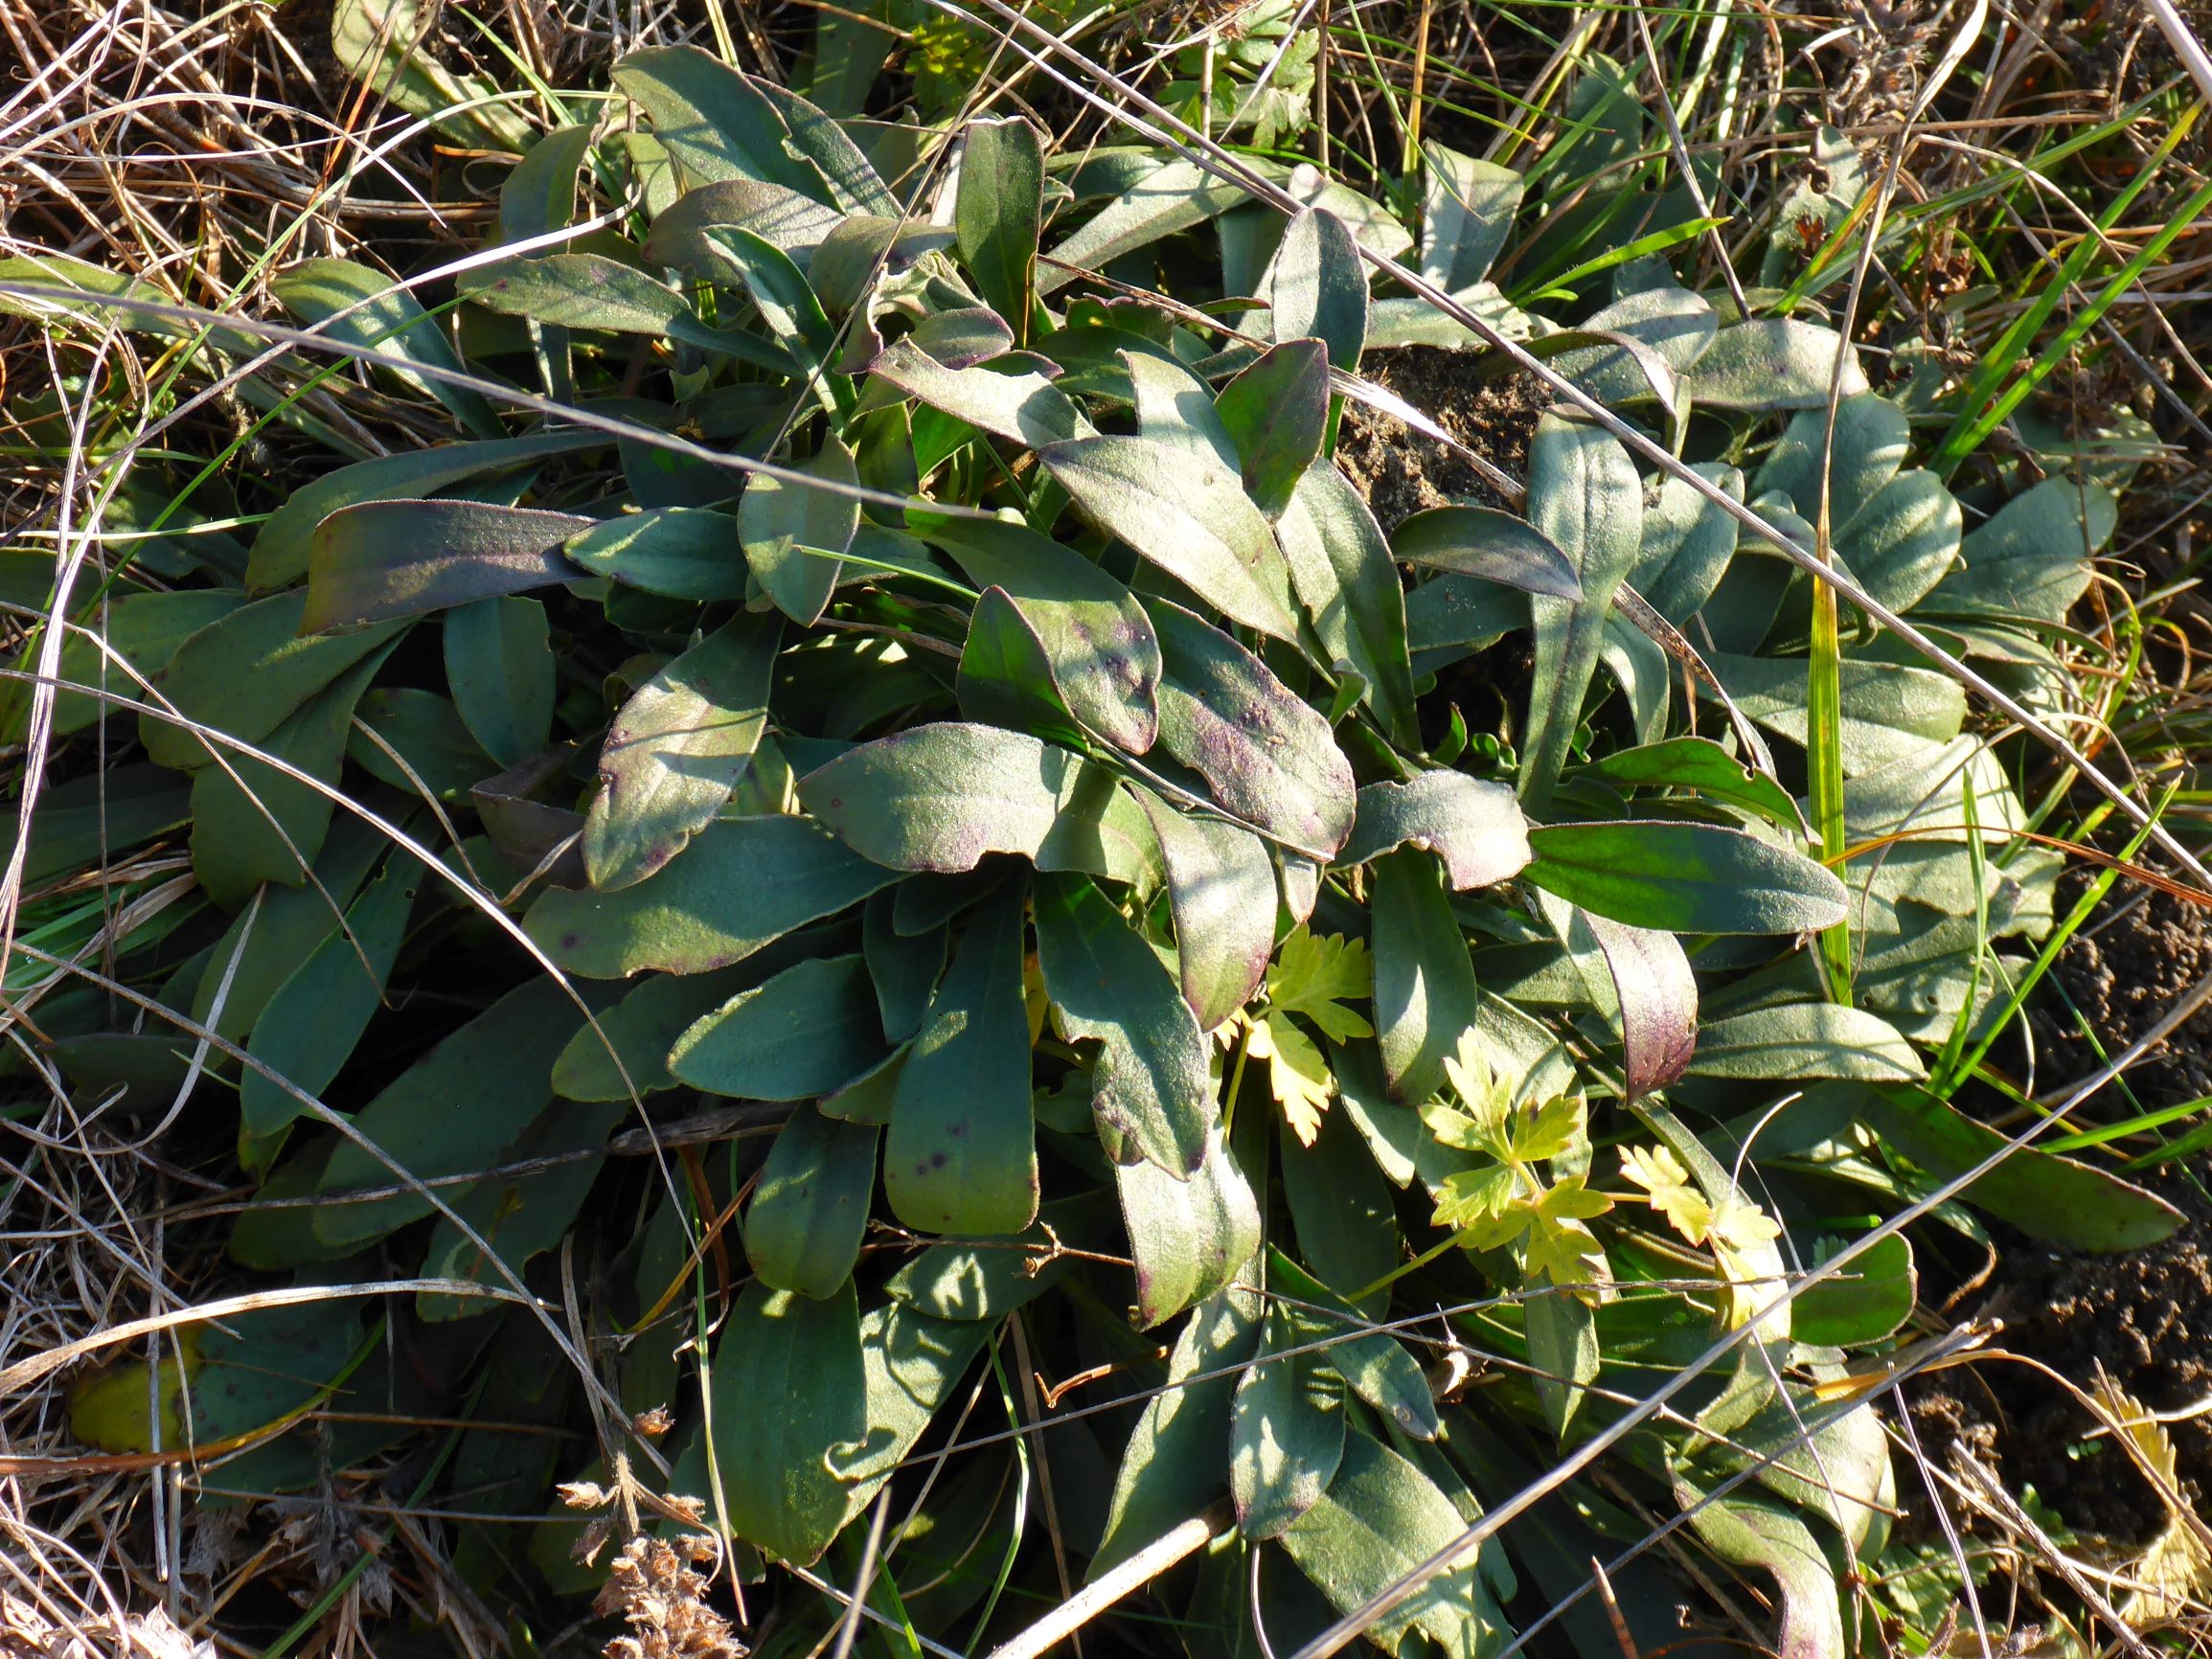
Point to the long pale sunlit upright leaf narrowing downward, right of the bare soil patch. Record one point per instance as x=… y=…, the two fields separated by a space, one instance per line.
x=1585 y=497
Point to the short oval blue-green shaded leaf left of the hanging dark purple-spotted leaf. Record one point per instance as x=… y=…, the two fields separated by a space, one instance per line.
x=804 y=1034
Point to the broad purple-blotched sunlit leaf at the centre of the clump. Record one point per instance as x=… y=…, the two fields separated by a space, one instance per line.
x=1266 y=753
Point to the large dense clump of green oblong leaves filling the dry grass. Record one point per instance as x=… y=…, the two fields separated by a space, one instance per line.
x=926 y=950
